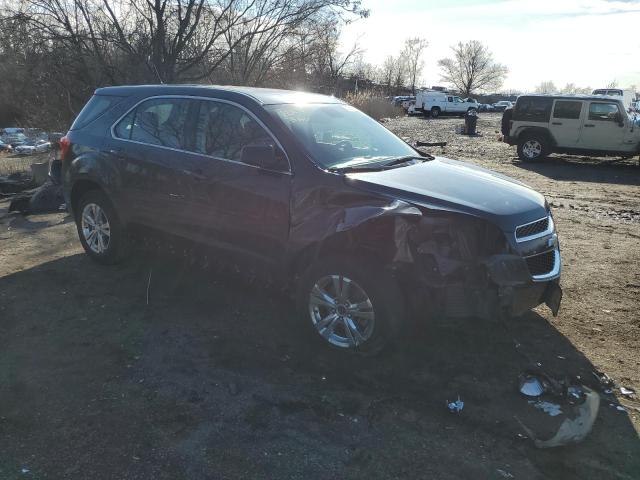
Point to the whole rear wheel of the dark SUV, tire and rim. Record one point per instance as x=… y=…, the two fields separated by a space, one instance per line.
x=101 y=233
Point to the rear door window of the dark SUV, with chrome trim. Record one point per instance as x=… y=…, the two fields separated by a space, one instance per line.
x=159 y=121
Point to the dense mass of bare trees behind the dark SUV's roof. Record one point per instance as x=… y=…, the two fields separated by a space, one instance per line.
x=78 y=45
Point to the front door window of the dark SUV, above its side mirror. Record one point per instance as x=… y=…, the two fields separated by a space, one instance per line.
x=223 y=130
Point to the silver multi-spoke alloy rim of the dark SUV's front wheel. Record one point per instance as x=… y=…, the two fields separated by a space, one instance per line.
x=341 y=311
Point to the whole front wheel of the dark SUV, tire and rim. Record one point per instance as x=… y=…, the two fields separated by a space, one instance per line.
x=349 y=306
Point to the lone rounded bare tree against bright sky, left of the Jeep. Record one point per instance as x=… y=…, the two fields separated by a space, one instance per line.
x=472 y=69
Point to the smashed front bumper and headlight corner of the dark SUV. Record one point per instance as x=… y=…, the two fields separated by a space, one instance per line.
x=464 y=267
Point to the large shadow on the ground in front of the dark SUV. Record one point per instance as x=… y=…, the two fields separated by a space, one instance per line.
x=160 y=368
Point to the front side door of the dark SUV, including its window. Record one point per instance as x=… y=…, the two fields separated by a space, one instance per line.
x=240 y=208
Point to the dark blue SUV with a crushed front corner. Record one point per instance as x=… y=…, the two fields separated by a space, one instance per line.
x=308 y=192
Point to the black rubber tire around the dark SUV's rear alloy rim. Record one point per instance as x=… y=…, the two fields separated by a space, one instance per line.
x=117 y=247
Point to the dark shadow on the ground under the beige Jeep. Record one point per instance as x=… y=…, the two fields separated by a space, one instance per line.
x=585 y=169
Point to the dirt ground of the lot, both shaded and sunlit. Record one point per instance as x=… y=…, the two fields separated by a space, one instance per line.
x=159 y=370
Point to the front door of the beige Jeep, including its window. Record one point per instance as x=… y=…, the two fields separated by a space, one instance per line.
x=601 y=130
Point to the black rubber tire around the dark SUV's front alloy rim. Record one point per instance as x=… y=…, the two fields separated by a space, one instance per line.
x=386 y=301
